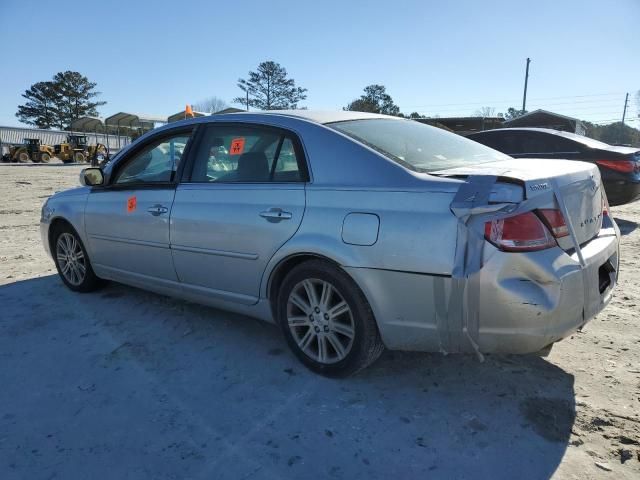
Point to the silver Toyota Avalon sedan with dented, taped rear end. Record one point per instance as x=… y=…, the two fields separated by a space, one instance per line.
x=351 y=231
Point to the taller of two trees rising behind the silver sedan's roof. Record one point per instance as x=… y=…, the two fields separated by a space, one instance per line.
x=268 y=88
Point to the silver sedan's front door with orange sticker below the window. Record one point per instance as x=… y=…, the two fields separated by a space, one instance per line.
x=127 y=221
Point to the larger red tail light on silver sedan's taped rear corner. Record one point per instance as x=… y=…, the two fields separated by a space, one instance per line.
x=522 y=233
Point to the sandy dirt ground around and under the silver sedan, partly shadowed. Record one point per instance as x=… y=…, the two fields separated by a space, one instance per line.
x=127 y=384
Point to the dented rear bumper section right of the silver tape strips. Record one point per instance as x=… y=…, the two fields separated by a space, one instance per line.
x=528 y=302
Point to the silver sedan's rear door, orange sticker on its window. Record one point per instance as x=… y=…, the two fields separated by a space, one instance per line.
x=243 y=199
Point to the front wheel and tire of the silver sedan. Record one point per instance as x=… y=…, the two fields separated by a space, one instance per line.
x=72 y=261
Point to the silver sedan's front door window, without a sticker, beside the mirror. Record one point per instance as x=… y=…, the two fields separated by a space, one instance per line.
x=155 y=163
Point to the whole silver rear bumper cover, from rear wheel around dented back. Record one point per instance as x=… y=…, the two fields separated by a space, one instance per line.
x=527 y=301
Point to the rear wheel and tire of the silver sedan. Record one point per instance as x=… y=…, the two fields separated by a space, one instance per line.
x=327 y=320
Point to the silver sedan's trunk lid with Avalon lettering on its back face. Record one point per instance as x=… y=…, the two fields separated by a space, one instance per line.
x=584 y=205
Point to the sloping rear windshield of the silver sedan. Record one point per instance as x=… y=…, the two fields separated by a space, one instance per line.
x=417 y=146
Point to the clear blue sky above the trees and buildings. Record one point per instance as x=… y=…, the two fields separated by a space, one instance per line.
x=434 y=57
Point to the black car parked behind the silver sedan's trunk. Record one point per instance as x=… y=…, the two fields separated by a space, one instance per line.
x=619 y=166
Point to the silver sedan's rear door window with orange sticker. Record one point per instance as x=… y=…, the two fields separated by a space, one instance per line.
x=242 y=154
